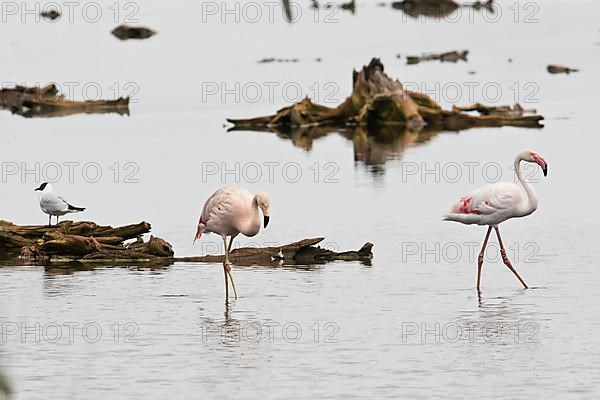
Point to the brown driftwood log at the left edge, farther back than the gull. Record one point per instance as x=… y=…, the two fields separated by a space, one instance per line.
x=46 y=101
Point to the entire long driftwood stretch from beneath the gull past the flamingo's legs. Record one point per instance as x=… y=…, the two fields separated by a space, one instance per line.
x=87 y=242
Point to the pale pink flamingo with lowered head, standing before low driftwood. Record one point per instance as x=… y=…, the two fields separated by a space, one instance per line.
x=230 y=211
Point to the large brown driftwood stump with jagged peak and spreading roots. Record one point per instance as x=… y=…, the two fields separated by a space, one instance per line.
x=379 y=100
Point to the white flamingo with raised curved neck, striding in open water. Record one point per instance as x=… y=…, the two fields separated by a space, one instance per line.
x=495 y=203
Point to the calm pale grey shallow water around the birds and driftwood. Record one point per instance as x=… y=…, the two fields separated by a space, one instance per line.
x=411 y=323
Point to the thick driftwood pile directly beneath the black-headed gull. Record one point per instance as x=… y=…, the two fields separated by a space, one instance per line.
x=82 y=241
